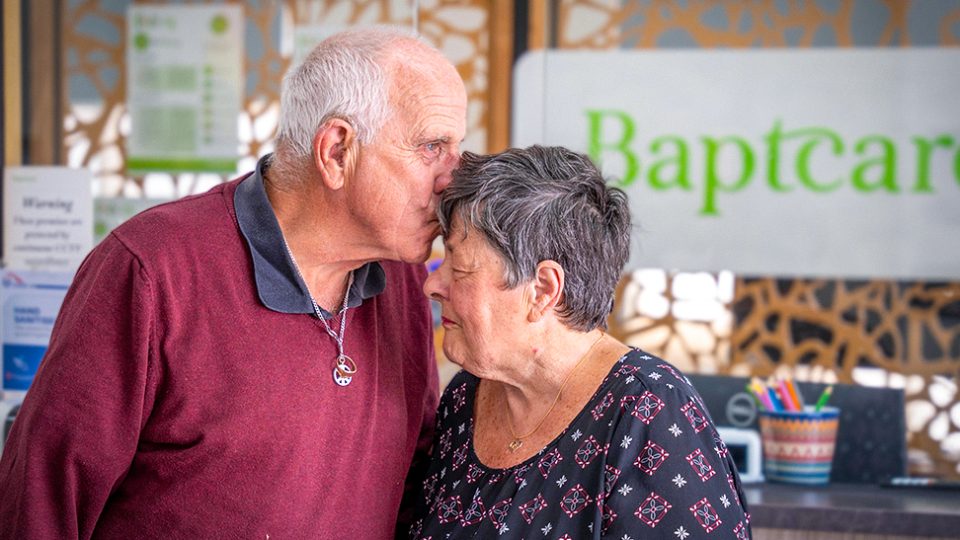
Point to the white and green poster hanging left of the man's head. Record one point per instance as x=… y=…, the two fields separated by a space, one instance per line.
x=184 y=87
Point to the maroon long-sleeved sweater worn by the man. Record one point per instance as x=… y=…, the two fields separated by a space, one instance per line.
x=172 y=403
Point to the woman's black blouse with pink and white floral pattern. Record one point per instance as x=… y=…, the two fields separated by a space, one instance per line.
x=641 y=460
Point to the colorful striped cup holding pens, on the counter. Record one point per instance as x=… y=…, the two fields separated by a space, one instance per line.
x=798 y=446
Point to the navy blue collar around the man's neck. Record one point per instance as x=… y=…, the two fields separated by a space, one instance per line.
x=279 y=285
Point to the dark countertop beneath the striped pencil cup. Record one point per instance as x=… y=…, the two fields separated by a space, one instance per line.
x=855 y=508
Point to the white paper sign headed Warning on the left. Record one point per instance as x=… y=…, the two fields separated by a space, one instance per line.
x=47 y=218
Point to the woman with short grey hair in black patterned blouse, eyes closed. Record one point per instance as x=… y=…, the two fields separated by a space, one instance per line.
x=555 y=429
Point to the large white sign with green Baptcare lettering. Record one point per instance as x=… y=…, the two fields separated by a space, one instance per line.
x=838 y=163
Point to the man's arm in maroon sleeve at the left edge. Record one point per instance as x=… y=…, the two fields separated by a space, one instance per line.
x=77 y=431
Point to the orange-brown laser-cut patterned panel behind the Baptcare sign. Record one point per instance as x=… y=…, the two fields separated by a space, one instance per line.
x=829 y=330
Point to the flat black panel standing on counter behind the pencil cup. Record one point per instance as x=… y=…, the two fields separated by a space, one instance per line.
x=871 y=439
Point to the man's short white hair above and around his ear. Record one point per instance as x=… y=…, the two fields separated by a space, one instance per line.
x=343 y=77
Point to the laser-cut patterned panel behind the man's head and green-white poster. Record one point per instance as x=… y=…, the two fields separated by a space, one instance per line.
x=95 y=116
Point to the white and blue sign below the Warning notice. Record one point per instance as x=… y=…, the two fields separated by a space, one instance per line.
x=30 y=302
